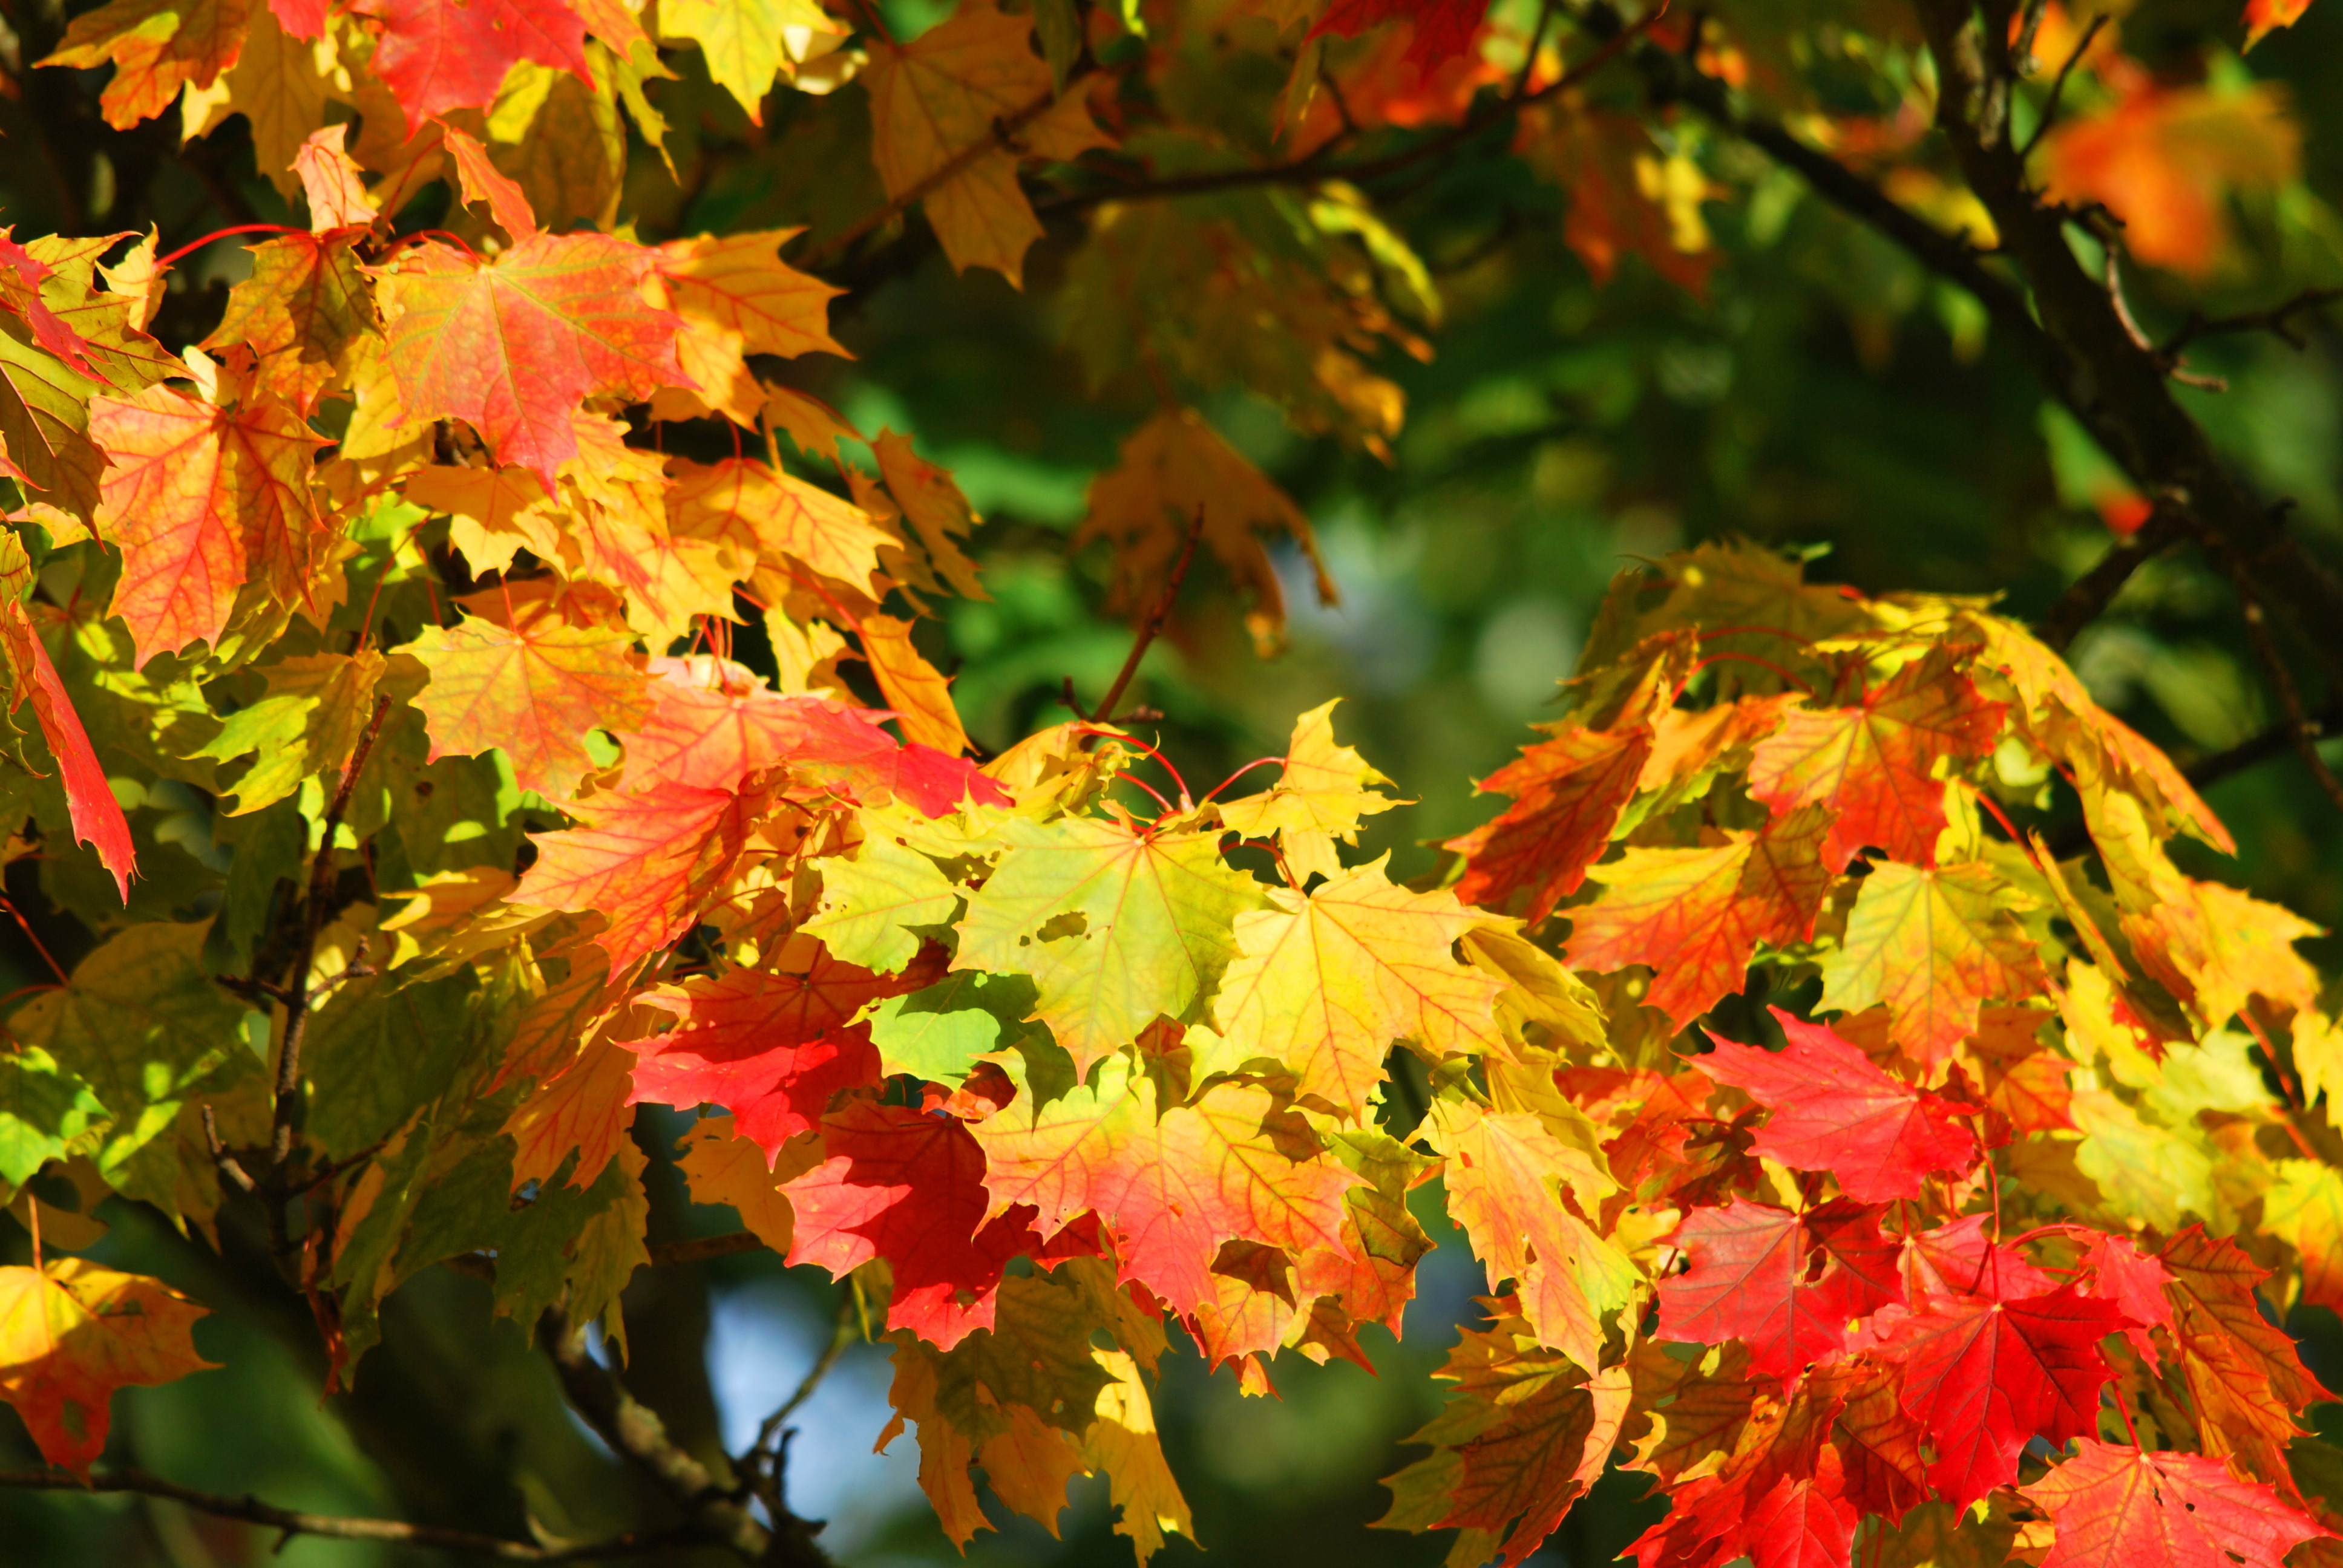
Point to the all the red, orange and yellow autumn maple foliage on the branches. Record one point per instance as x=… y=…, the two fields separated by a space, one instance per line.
x=388 y=613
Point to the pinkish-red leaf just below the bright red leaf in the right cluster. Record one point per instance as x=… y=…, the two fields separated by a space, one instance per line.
x=1749 y=1281
